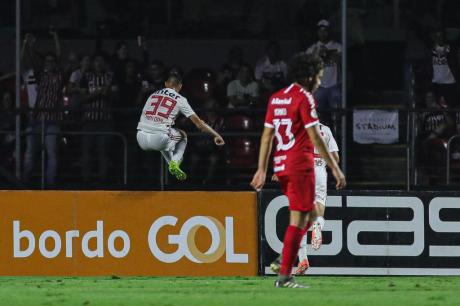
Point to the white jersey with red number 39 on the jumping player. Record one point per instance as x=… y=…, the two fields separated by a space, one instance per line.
x=161 y=110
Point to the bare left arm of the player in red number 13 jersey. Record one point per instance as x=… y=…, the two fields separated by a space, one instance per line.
x=266 y=143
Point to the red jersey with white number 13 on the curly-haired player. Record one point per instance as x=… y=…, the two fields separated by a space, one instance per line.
x=290 y=112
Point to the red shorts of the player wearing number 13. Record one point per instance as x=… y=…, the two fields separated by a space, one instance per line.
x=300 y=190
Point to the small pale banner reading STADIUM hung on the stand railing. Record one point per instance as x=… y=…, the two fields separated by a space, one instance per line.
x=375 y=126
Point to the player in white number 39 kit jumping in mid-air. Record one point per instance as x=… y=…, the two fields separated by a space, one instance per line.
x=155 y=128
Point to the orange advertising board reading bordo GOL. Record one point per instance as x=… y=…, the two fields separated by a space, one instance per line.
x=128 y=233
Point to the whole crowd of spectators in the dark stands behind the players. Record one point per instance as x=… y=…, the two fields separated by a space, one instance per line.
x=100 y=94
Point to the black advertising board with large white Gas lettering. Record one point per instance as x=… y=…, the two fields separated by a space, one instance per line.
x=373 y=233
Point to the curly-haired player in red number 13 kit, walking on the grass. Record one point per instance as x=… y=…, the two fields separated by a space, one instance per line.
x=292 y=120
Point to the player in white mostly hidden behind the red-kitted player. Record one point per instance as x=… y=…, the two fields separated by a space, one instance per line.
x=320 y=198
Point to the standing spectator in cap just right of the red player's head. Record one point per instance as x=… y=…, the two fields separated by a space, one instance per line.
x=328 y=95
